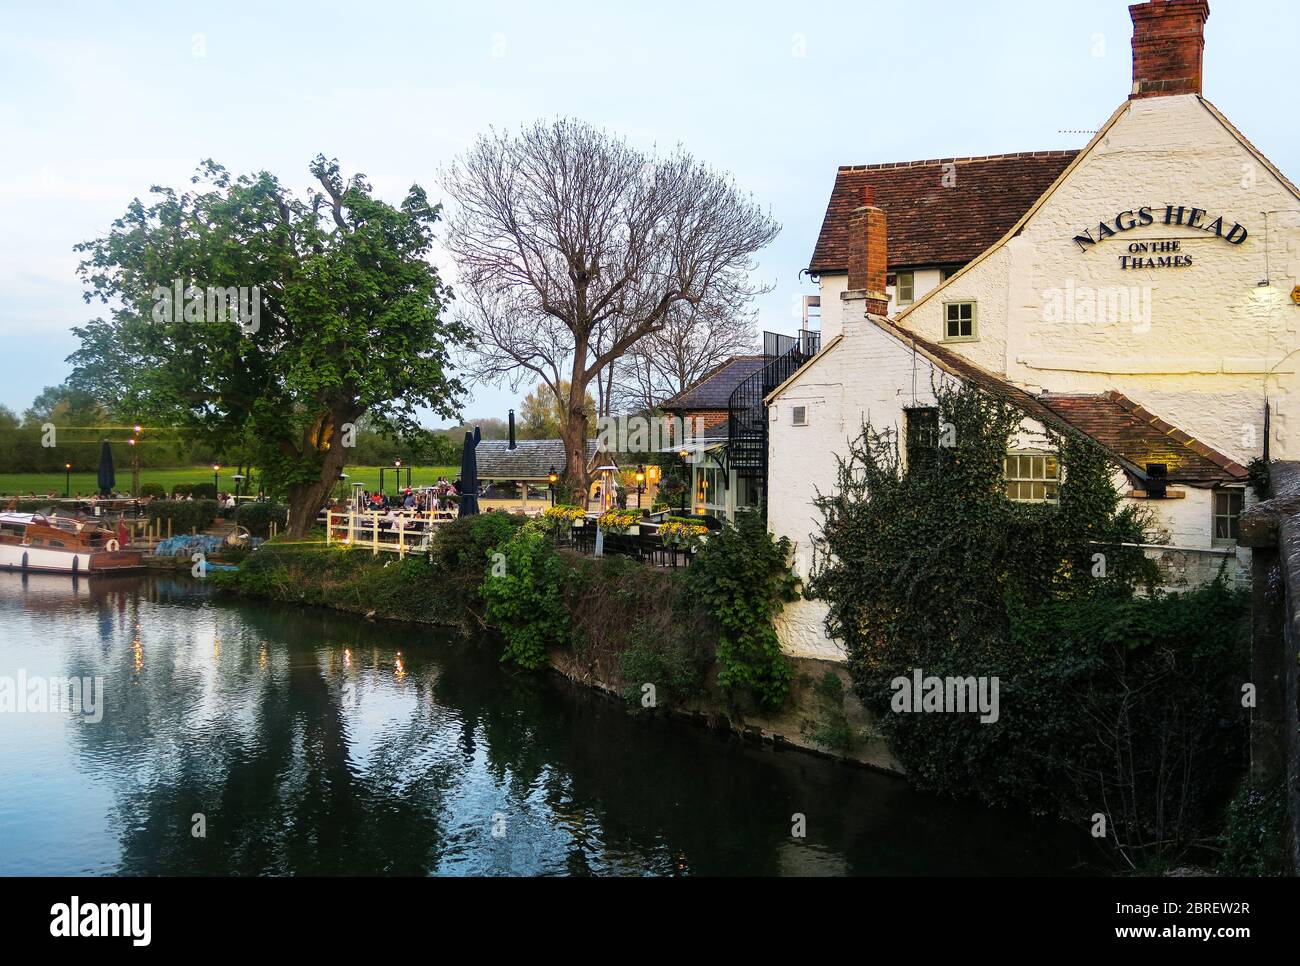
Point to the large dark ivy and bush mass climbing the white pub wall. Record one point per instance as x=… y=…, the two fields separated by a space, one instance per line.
x=1111 y=704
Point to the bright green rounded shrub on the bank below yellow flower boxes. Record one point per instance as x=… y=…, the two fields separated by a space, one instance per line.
x=523 y=599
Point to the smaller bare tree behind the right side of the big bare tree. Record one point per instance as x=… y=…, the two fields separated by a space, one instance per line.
x=695 y=343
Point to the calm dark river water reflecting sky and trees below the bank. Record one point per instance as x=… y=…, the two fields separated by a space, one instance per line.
x=319 y=744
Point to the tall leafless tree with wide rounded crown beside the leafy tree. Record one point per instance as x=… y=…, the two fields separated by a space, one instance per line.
x=573 y=248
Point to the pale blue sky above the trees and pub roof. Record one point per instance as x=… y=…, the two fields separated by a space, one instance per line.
x=98 y=101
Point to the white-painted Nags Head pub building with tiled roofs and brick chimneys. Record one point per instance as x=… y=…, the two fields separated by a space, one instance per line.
x=1142 y=291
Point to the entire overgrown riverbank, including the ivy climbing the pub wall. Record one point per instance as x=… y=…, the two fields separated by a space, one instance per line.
x=1121 y=709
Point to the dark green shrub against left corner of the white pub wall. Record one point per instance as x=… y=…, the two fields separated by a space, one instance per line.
x=743 y=577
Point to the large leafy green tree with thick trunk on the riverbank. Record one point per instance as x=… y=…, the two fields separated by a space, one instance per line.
x=341 y=317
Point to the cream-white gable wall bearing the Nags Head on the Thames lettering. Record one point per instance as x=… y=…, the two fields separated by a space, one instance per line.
x=1202 y=345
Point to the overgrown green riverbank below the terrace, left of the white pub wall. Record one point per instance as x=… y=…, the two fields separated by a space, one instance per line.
x=662 y=638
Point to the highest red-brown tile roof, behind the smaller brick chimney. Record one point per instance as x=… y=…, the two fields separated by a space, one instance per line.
x=930 y=224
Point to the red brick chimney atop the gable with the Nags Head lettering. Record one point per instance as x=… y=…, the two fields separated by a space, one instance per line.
x=1169 y=40
